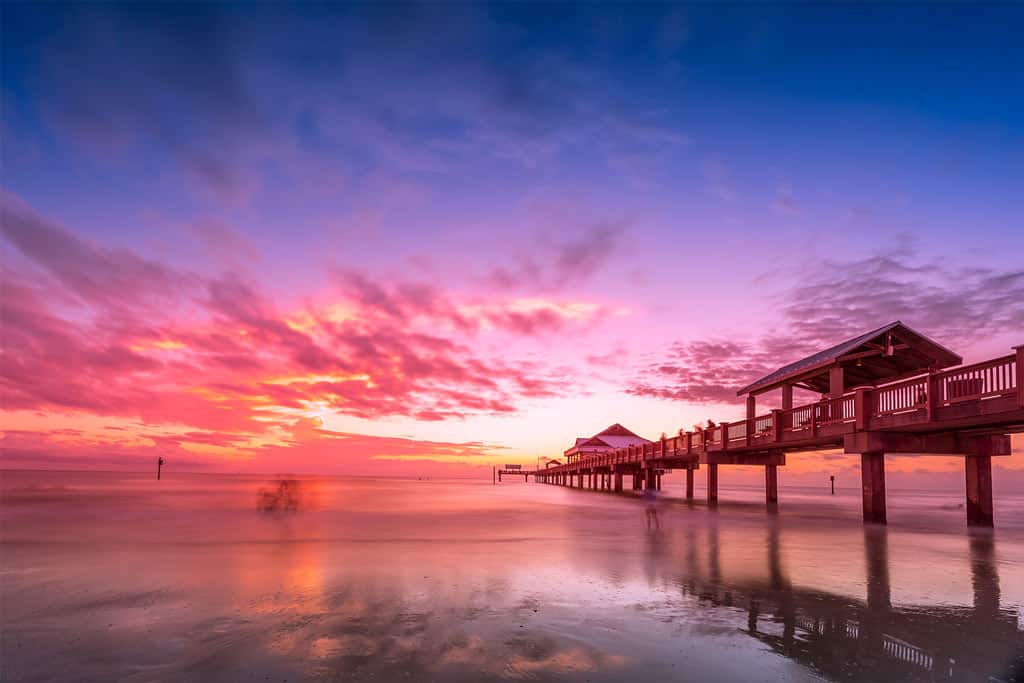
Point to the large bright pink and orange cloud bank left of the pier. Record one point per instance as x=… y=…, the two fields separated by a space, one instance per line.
x=224 y=362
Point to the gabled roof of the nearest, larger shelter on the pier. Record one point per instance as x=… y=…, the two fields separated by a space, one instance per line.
x=891 y=353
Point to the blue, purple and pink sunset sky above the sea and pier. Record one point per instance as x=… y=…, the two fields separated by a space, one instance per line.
x=423 y=240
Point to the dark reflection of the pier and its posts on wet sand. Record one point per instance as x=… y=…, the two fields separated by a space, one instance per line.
x=871 y=641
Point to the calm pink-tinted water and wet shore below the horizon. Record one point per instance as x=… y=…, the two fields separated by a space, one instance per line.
x=112 y=577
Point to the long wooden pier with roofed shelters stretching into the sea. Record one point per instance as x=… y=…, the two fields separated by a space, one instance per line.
x=888 y=392
